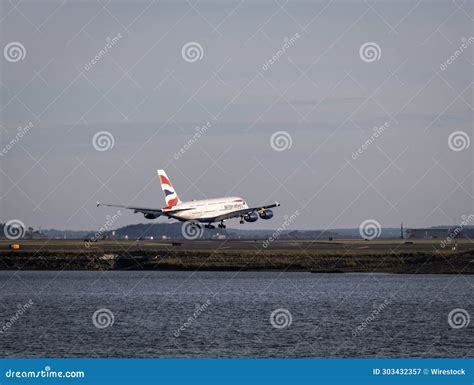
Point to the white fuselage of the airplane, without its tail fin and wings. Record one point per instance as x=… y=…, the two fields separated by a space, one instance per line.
x=207 y=209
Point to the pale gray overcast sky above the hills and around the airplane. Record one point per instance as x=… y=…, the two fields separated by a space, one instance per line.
x=323 y=91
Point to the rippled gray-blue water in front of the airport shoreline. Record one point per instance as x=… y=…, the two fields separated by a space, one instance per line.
x=148 y=308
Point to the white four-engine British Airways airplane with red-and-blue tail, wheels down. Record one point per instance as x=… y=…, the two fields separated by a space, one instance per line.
x=207 y=211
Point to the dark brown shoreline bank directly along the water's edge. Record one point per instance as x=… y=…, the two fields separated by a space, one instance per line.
x=407 y=263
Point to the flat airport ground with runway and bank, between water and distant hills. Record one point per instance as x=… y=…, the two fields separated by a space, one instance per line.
x=337 y=256
